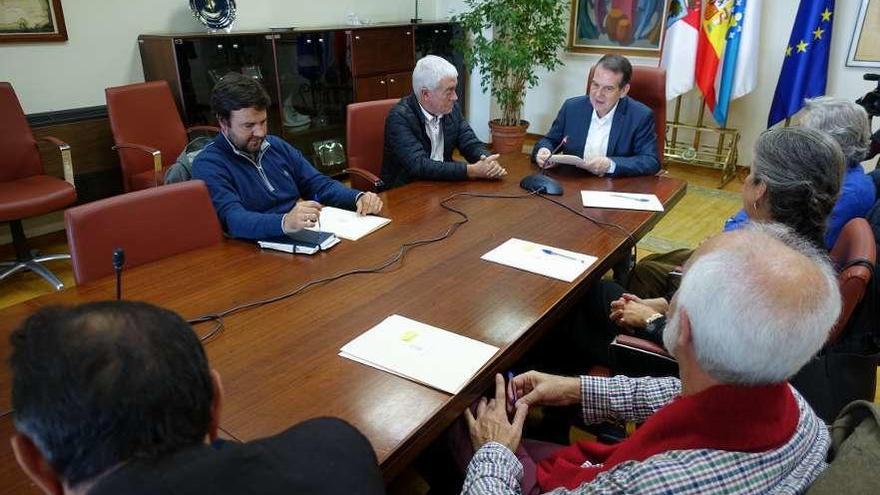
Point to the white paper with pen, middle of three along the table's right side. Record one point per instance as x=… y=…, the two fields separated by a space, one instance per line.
x=543 y=260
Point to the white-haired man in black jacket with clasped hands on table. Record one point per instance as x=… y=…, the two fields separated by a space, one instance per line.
x=423 y=129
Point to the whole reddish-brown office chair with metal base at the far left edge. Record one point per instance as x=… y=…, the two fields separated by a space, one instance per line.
x=25 y=189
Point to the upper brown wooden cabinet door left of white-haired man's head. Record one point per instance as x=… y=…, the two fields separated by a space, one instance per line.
x=381 y=51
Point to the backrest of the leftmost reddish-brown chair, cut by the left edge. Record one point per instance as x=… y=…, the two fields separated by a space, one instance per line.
x=19 y=156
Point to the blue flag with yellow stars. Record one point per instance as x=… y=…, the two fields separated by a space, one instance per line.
x=805 y=69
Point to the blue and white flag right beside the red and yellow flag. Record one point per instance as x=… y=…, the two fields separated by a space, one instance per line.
x=739 y=70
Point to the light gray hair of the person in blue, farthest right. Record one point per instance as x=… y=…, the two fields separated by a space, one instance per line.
x=845 y=121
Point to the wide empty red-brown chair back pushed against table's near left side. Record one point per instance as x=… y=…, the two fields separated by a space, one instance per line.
x=149 y=225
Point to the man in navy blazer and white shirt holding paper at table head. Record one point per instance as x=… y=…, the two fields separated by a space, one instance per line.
x=614 y=134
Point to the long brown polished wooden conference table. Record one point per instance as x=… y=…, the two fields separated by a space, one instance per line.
x=279 y=362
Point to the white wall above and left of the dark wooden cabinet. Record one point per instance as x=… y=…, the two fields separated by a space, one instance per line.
x=101 y=50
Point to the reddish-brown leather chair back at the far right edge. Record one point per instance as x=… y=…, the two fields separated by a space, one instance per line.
x=855 y=254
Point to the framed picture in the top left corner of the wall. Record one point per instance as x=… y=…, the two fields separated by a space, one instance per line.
x=31 y=20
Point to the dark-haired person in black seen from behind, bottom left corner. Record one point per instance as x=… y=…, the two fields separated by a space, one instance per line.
x=117 y=397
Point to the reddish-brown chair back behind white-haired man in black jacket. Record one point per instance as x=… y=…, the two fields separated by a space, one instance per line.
x=365 y=137
